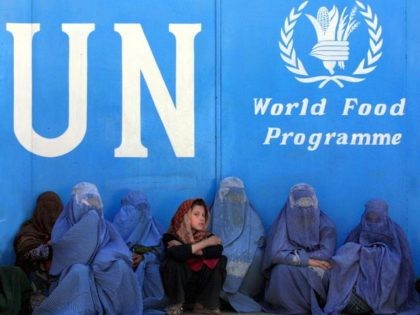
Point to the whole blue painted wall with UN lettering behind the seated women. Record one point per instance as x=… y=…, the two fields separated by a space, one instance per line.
x=174 y=97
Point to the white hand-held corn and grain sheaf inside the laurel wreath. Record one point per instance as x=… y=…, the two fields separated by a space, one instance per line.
x=333 y=31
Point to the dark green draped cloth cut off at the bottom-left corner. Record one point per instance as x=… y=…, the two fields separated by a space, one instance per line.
x=15 y=291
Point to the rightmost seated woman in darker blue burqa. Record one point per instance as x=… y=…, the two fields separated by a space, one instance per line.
x=373 y=271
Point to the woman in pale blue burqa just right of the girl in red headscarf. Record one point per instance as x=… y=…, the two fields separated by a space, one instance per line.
x=242 y=233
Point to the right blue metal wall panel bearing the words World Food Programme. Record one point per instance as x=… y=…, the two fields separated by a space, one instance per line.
x=255 y=69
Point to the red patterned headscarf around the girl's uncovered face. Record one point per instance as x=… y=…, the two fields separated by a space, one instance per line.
x=181 y=223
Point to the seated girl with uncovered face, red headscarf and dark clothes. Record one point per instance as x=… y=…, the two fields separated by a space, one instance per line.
x=194 y=268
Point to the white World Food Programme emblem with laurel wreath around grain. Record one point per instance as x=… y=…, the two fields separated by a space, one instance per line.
x=333 y=30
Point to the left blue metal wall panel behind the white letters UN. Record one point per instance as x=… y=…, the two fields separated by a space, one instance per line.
x=166 y=178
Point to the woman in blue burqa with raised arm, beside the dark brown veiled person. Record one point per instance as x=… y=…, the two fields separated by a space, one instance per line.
x=91 y=261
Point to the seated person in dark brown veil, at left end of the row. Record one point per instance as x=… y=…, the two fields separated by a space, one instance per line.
x=32 y=244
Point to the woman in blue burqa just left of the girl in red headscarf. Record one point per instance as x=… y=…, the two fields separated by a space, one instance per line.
x=143 y=235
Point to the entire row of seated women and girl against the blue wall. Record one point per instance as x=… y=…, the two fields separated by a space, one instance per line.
x=76 y=262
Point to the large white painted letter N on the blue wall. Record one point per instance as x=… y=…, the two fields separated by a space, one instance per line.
x=137 y=60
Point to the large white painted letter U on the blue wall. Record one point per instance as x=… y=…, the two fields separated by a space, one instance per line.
x=22 y=68
